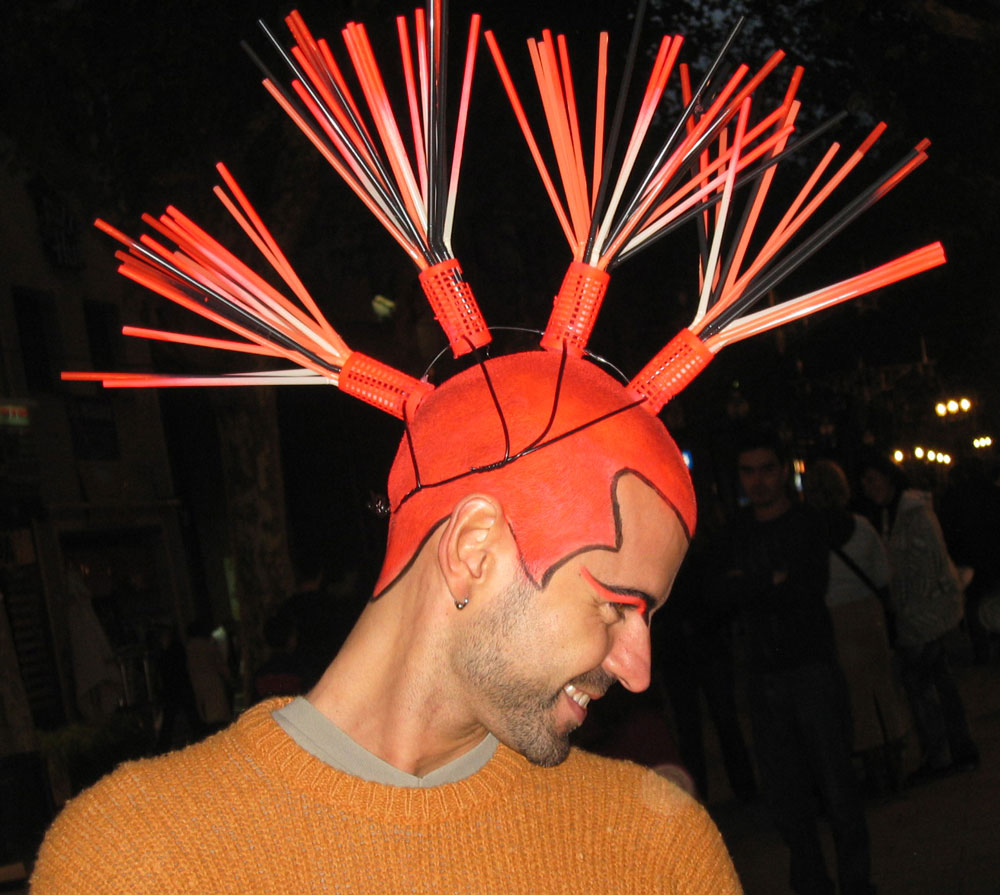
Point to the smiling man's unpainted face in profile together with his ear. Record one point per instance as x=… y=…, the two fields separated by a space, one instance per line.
x=526 y=660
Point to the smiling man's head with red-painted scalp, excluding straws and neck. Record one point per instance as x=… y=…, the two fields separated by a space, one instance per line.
x=557 y=522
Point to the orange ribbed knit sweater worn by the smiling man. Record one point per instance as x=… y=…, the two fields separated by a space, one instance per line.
x=248 y=811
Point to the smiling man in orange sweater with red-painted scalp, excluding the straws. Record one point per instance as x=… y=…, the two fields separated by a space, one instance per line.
x=539 y=516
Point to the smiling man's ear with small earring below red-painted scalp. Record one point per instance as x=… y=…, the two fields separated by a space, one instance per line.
x=475 y=543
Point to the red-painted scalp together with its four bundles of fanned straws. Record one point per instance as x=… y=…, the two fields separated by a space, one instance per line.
x=719 y=146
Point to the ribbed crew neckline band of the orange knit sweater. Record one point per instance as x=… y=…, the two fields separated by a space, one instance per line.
x=262 y=741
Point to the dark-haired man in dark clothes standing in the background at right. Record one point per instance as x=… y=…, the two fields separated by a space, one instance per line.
x=774 y=579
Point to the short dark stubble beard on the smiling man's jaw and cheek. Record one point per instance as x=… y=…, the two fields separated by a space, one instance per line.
x=521 y=709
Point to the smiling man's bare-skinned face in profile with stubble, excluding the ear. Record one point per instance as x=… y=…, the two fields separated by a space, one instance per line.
x=536 y=657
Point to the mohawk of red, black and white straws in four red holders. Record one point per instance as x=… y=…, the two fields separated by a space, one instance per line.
x=719 y=148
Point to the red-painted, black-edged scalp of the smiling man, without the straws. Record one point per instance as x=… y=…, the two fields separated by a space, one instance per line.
x=574 y=431
